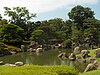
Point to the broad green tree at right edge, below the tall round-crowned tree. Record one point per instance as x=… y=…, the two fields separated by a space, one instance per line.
x=92 y=30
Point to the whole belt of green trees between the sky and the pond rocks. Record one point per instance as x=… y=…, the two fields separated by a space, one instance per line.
x=82 y=28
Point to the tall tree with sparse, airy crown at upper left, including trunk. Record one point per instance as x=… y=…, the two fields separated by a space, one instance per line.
x=20 y=16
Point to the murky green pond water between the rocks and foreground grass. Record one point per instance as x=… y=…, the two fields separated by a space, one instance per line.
x=45 y=58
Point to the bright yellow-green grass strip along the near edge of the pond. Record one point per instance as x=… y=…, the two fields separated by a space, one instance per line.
x=38 y=70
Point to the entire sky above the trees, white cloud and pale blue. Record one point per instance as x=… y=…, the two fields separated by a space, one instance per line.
x=47 y=9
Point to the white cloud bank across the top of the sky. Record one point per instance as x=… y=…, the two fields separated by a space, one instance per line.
x=41 y=6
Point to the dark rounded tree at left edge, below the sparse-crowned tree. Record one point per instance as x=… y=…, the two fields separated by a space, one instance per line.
x=11 y=34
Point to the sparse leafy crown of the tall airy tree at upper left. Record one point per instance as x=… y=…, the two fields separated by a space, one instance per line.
x=18 y=15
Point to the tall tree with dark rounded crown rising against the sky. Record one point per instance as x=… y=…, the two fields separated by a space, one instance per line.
x=78 y=14
